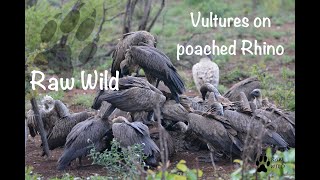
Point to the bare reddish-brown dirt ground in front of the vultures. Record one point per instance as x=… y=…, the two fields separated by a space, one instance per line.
x=47 y=166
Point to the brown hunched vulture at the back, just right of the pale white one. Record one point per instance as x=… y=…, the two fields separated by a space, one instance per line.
x=246 y=86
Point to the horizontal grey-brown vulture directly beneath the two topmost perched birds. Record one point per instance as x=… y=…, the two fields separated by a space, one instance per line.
x=134 y=95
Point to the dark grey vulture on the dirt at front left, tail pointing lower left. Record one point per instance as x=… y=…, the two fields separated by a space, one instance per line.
x=94 y=131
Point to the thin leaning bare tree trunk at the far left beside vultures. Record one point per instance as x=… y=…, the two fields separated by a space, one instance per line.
x=43 y=133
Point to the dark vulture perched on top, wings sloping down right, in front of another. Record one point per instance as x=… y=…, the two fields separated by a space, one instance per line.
x=156 y=65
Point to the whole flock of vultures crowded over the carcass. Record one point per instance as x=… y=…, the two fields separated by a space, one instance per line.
x=240 y=123
